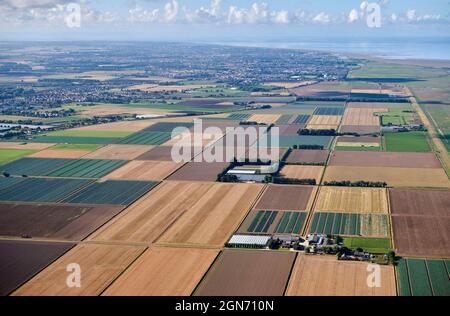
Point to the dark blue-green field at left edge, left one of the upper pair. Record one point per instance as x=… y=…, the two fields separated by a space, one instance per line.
x=34 y=166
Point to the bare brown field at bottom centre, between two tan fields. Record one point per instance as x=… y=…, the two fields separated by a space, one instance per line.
x=247 y=273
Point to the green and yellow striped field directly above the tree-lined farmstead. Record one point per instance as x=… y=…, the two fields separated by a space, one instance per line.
x=367 y=225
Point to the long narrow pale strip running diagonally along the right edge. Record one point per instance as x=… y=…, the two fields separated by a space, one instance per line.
x=436 y=141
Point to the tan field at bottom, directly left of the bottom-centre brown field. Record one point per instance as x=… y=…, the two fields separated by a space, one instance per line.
x=163 y=271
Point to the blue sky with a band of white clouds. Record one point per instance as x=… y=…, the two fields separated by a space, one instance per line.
x=221 y=20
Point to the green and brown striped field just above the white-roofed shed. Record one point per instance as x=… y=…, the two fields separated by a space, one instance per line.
x=273 y=222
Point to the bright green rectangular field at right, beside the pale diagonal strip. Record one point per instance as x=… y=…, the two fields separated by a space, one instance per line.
x=406 y=142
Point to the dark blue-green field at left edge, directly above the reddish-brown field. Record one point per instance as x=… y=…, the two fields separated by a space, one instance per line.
x=41 y=190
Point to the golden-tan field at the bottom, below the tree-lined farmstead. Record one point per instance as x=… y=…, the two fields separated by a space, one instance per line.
x=327 y=276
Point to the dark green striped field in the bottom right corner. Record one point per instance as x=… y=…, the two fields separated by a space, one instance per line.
x=423 y=277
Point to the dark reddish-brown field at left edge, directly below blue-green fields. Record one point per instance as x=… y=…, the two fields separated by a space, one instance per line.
x=56 y=221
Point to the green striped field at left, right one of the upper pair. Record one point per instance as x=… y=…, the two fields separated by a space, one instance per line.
x=87 y=168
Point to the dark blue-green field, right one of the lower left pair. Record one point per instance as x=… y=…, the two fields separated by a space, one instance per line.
x=111 y=192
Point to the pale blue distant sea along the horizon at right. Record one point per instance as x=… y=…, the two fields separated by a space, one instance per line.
x=391 y=48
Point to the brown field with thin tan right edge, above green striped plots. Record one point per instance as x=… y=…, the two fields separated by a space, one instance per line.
x=287 y=198
